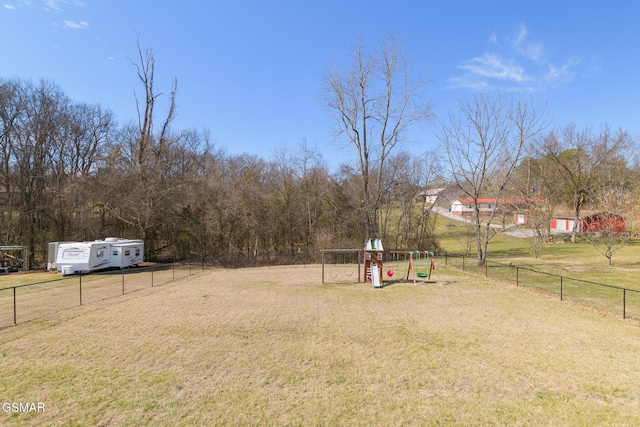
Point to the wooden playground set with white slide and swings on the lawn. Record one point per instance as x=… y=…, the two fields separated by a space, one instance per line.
x=400 y=265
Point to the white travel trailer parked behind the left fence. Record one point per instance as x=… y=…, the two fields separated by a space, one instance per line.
x=112 y=252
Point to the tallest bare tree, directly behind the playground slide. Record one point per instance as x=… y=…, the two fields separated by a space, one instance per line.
x=374 y=102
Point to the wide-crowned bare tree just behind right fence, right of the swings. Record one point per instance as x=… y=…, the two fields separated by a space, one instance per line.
x=483 y=143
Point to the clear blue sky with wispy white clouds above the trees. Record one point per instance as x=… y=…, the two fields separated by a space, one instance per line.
x=250 y=72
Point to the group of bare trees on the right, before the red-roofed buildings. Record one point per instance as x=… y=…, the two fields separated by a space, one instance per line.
x=503 y=148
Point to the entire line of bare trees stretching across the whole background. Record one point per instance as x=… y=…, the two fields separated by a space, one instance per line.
x=70 y=171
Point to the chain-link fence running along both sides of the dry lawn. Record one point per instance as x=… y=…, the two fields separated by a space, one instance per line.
x=22 y=303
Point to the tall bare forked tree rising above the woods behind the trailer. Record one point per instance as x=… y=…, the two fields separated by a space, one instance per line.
x=144 y=178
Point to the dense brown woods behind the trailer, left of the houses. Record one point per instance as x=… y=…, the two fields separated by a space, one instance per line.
x=70 y=171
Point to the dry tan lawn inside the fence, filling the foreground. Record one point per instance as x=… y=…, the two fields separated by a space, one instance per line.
x=272 y=346
